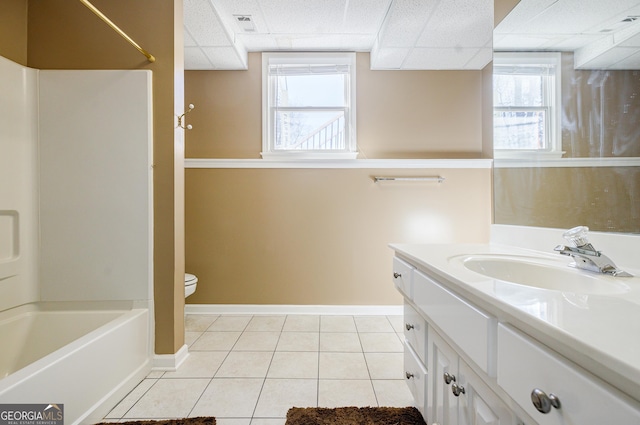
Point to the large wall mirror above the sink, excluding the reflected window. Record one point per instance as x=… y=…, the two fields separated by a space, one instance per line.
x=594 y=178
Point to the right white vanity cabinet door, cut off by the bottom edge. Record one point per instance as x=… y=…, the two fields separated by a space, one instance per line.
x=478 y=404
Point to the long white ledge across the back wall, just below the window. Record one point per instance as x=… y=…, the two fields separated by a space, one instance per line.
x=344 y=163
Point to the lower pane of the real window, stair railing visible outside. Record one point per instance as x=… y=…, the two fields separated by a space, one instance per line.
x=309 y=130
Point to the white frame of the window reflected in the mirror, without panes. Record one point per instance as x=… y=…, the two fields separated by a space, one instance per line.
x=552 y=102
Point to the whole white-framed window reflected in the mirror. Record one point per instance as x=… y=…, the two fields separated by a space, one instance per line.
x=526 y=104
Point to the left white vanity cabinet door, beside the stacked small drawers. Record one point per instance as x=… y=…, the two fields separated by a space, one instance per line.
x=442 y=406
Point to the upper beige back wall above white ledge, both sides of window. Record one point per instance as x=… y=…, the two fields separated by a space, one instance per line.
x=400 y=114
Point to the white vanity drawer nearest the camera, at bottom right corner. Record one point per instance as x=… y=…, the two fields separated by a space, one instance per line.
x=526 y=365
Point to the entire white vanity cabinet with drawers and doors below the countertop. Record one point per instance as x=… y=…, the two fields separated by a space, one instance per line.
x=481 y=370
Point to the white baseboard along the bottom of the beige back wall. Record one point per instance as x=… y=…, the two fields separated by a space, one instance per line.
x=349 y=310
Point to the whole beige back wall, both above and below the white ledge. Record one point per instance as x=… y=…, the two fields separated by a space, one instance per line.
x=320 y=236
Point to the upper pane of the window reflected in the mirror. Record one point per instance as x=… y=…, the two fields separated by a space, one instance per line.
x=517 y=90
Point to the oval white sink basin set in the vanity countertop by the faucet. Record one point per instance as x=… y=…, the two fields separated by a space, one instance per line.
x=524 y=271
